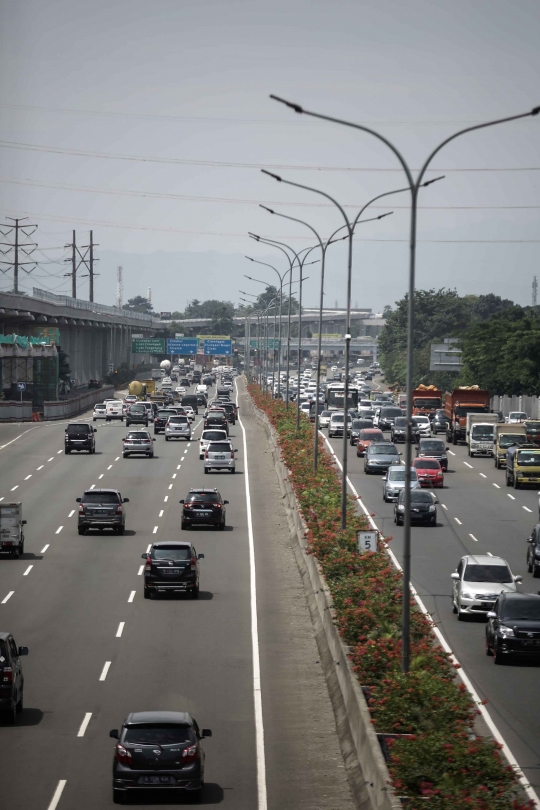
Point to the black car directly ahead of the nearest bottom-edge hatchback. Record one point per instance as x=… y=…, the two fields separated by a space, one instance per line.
x=171 y=567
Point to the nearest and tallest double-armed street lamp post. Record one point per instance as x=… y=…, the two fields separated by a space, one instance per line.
x=414 y=186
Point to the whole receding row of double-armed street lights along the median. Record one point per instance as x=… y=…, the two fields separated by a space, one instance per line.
x=414 y=184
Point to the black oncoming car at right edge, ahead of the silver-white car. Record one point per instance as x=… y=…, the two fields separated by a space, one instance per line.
x=513 y=627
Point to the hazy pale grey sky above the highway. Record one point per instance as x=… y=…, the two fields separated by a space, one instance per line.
x=185 y=84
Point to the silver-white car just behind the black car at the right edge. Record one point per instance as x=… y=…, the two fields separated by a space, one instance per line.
x=477 y=583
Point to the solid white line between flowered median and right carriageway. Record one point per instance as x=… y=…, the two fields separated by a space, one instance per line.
x=446 y=647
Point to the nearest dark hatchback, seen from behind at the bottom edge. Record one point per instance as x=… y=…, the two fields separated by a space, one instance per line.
x=159 y=750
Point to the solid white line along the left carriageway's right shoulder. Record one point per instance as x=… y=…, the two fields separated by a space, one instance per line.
x=257 y=697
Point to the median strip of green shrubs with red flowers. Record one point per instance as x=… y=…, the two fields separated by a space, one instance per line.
x=435 y=759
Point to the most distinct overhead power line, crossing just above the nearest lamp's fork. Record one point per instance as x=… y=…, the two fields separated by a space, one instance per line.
x=236 y=165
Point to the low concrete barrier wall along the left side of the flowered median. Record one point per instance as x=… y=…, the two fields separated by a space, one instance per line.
x=371 y=781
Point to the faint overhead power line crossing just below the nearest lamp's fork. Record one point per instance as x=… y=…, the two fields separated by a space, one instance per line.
x=240 y=201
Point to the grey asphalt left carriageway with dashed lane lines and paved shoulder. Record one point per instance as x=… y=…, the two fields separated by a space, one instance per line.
x=99 y=651
